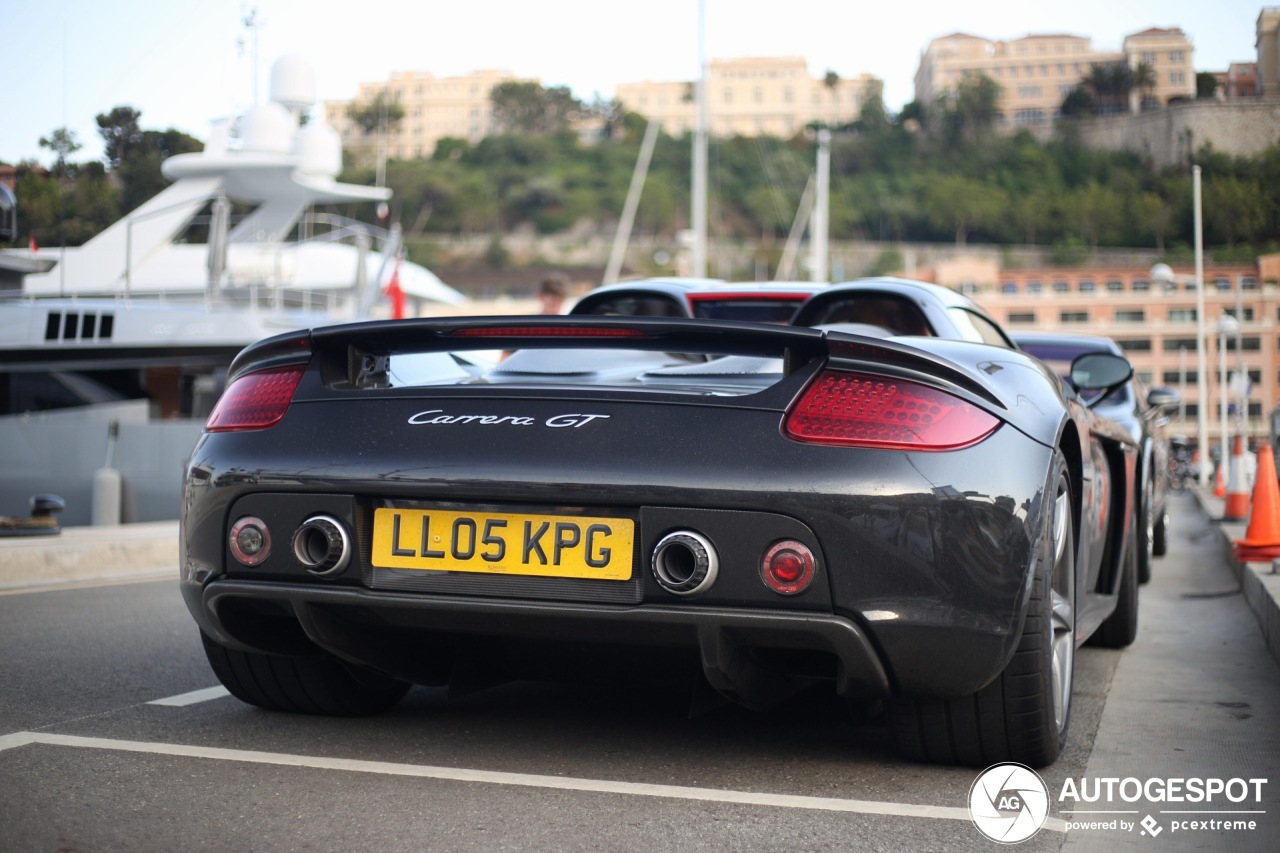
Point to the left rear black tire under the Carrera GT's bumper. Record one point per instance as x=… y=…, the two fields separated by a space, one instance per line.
x=321 y=685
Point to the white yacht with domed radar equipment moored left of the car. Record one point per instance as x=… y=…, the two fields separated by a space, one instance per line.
x=112 y=354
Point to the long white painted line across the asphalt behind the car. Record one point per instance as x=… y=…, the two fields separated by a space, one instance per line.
x=495 y=778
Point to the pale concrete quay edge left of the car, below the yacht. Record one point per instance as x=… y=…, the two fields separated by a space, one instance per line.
x=80 y=555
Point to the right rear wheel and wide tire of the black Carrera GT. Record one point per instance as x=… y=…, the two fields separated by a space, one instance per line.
x=1023 y=715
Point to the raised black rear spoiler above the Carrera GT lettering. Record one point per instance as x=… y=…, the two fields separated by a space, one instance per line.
x=360 y=349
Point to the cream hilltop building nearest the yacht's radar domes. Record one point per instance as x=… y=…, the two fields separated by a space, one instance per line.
x=435 y=108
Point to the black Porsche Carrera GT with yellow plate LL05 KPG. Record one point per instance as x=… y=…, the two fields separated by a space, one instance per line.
x=918 y=521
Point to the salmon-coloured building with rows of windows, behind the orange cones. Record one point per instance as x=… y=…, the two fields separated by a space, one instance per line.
x=1155 y=322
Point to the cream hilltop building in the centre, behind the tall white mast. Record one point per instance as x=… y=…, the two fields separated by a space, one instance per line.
x=755 y=97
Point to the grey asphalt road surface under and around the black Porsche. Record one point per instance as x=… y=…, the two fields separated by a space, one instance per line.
x=89 y=763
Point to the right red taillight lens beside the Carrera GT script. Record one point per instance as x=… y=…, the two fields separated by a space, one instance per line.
x=876 y=412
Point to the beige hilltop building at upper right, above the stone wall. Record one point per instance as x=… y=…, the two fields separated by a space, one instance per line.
x=1037 y=72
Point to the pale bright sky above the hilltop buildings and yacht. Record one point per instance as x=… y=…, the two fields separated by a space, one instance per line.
x=186 y=63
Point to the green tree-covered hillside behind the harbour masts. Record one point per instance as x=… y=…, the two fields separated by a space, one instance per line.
x=949 y=177
